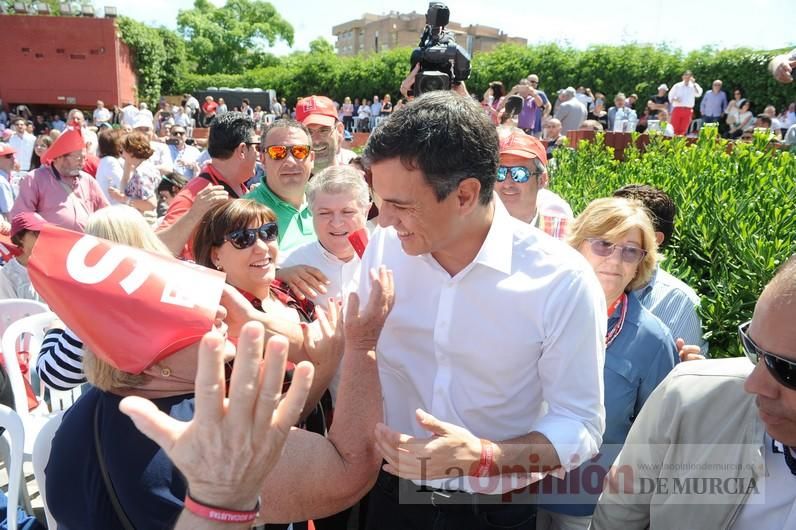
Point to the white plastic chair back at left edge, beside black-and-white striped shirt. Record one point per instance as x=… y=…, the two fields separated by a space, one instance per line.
x=35 y=325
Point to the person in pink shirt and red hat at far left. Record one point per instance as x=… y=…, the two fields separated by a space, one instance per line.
x=59 y=190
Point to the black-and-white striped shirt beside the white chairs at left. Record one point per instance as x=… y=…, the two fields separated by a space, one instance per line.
x=60 y=362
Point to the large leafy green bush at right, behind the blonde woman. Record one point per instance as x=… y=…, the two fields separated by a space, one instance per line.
x=736 y=217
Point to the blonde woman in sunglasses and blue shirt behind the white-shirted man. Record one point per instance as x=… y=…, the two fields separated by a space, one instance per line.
x=617 y=238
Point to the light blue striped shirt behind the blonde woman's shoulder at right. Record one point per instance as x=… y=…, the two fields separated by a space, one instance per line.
x=675 y=304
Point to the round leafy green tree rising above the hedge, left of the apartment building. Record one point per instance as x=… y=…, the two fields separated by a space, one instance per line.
x=231 y=39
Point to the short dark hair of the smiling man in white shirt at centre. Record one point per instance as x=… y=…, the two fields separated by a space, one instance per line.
x=446 y=136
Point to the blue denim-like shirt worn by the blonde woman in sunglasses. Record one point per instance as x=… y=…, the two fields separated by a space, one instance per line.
x=638 y=359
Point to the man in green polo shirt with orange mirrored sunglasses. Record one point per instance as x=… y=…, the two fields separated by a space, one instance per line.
x=288 y=159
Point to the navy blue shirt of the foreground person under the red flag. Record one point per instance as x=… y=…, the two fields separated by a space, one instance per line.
x=149 y=487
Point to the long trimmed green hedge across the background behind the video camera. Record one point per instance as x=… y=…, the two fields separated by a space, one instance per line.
x=610 y=69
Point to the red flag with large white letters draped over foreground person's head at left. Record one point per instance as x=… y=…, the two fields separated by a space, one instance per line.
x=130 y=307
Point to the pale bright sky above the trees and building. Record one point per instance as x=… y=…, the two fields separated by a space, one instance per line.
x=684 y=24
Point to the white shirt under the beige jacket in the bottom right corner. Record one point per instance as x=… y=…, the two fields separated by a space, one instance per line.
x=779 y=492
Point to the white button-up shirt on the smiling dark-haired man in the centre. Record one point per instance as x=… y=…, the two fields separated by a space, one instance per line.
x=513 y=343
